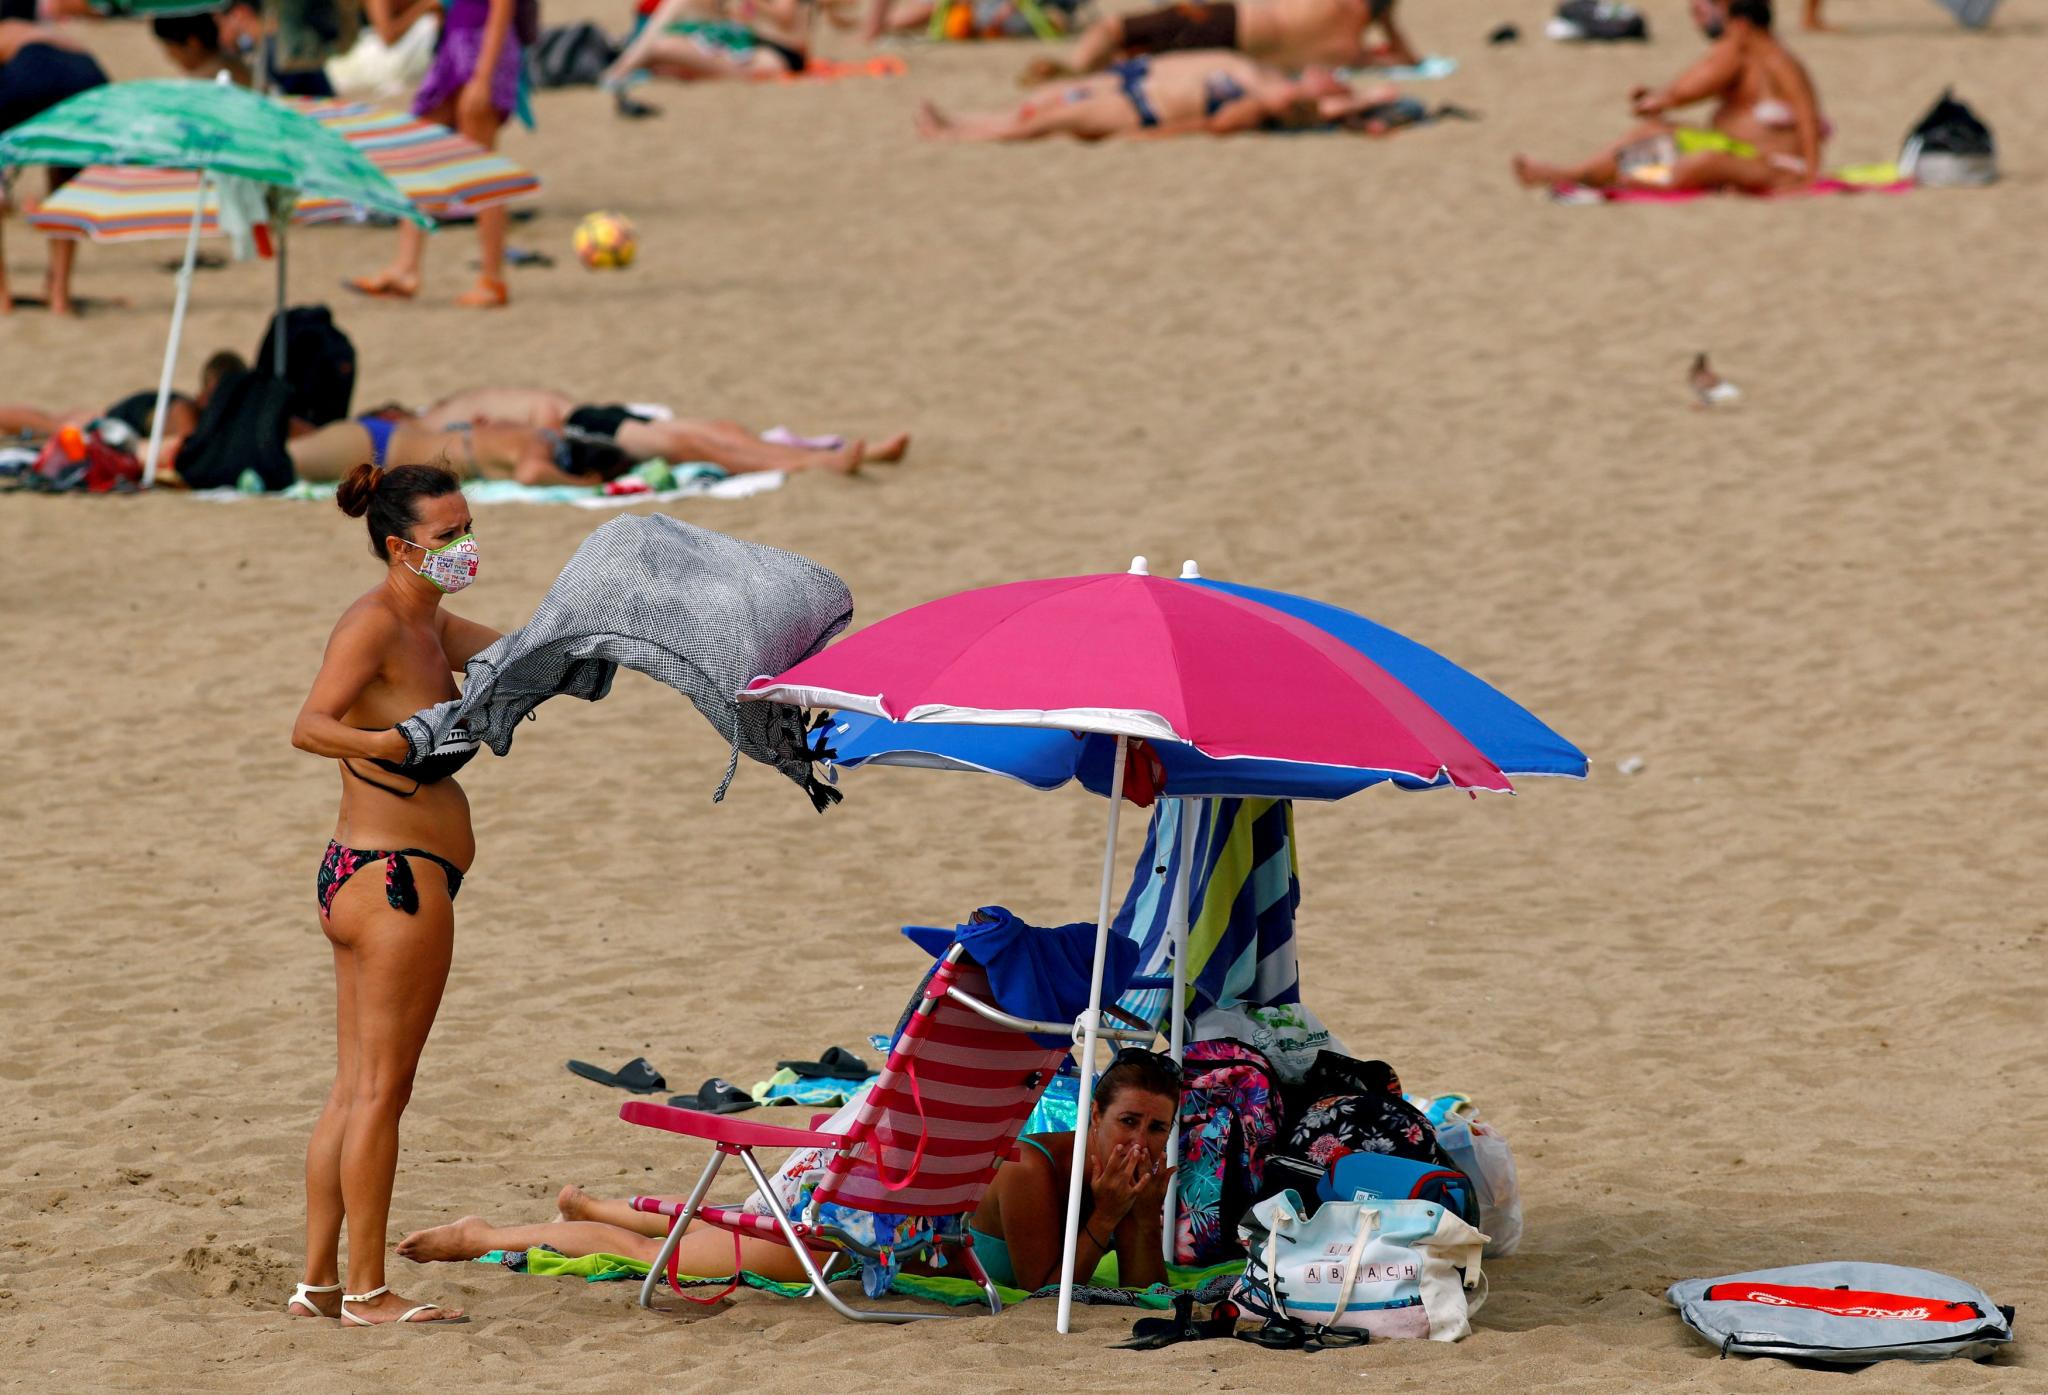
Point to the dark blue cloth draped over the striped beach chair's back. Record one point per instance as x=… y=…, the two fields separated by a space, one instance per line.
x=1035 y=972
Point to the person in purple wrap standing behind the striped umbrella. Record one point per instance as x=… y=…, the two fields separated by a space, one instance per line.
x=472 y=87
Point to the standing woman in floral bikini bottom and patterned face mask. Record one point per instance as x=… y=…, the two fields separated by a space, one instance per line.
x=390 y=878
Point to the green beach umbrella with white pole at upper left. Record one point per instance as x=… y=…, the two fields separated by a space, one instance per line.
x=224 y=134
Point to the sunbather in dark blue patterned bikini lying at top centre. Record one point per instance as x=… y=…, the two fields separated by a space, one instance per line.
x=1211 y=93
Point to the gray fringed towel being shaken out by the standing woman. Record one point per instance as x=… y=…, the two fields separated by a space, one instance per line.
x=689 y=607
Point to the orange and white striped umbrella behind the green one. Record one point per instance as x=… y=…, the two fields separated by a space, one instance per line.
x=441 y=173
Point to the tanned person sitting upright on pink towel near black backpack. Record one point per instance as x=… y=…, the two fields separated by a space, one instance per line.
x=1766 y=130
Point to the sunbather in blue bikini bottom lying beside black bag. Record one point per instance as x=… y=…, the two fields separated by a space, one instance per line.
x=486 y=452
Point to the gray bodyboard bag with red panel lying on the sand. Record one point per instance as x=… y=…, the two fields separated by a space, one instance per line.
x=1752 y=1316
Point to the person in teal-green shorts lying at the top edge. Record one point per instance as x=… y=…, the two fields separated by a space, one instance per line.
x=691 y=40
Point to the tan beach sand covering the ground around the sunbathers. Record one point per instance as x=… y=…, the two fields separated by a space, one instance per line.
x=1773 y=999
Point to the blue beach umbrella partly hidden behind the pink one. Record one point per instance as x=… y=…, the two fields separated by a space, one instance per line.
x=1500 y=728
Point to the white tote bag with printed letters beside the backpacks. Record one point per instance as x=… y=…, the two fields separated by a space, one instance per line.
x=1392 y=1269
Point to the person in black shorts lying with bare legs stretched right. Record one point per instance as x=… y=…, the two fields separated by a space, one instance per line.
x=644 y=433
